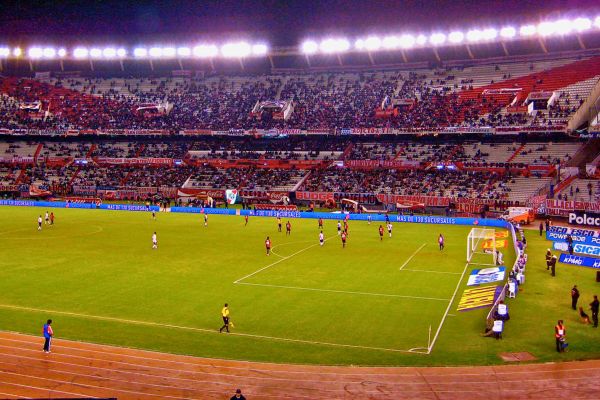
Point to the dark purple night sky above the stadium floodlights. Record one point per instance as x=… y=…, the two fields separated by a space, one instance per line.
x=278 y=22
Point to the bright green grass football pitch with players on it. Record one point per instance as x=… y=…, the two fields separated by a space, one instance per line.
x=375 y=302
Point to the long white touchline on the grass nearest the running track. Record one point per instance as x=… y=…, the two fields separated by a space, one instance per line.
x=188 y=328
